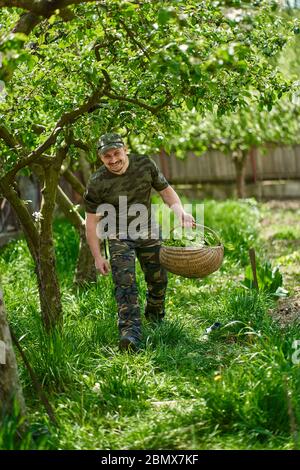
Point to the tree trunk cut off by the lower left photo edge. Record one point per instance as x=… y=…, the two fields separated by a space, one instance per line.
x=10 y=387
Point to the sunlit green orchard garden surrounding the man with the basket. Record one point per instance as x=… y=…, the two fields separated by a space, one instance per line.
x=221 y=371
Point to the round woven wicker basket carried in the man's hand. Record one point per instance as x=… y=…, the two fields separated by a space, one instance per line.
x=196 y=262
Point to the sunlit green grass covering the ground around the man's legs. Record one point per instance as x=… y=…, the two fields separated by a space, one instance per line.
x=236 y=388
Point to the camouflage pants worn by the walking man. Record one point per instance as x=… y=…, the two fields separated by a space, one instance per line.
x=122 y=259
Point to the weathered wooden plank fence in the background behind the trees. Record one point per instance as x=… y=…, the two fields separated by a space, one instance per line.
x=274 y=173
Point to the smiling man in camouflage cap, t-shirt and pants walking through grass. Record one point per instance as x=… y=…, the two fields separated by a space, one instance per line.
x=131 y=178
